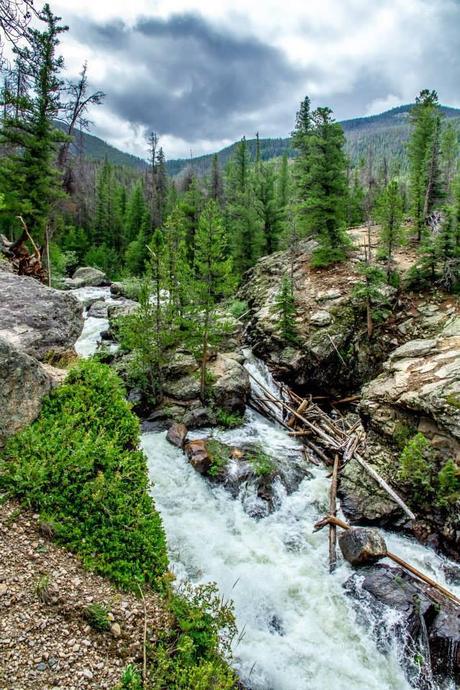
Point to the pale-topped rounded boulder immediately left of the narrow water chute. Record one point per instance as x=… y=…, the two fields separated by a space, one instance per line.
x=231 y=388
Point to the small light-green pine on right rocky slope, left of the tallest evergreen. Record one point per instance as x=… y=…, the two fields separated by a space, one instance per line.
x=390 y=215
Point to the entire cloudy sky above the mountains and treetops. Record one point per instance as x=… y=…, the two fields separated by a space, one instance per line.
x=203 y=74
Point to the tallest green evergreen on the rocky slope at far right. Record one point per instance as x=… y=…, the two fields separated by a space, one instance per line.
x=423 y=152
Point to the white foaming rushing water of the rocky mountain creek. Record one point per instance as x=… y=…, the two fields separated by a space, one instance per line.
x=299 y=630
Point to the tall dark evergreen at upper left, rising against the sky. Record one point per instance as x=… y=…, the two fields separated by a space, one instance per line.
x=28 y=176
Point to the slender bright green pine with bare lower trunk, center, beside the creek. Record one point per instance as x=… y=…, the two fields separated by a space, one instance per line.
x=213 y=267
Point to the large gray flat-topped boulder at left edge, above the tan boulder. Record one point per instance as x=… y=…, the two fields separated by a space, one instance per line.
x=36 y=319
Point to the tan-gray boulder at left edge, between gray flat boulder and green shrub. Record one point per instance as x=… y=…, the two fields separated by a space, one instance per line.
x=23 y=383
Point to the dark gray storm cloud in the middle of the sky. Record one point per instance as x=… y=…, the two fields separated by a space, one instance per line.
x=188 y=79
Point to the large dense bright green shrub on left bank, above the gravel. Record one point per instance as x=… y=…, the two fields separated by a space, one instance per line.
x=79 y=466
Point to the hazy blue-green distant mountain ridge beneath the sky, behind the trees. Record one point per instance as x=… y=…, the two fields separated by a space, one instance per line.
x=387 y=131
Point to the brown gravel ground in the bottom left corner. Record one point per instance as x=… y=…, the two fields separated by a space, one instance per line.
x=46 y=642
